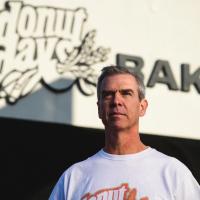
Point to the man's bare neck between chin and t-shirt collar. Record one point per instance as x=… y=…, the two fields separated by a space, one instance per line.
x=122 y=142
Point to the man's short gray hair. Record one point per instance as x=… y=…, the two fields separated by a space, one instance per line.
x=113 y=70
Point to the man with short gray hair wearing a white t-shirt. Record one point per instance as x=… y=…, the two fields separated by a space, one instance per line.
x=125 y=169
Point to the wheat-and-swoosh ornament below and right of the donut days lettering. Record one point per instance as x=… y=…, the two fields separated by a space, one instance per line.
x=17 y=84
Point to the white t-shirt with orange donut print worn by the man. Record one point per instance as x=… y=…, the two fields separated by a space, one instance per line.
x=106 y=176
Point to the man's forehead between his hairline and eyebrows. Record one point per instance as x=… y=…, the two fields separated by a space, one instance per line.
x=119 y=81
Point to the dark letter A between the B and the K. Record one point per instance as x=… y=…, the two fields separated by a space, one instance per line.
x=167 y=78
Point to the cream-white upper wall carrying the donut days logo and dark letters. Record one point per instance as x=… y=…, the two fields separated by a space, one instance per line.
x=51 y=54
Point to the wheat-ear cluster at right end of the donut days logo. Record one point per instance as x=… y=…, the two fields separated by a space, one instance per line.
x=80 y=60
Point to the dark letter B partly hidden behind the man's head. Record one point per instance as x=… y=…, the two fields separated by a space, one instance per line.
x=136 y=62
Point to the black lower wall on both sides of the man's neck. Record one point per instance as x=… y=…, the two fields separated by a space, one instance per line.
x=34 y=154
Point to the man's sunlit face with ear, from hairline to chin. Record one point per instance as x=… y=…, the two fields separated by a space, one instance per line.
x=119 y=106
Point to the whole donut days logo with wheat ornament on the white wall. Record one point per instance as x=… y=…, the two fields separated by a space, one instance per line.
x=57 y=55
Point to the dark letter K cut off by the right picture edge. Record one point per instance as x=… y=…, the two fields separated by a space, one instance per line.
x=188 y=79
